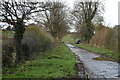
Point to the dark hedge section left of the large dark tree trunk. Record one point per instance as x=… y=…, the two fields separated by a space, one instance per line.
x=7 y=49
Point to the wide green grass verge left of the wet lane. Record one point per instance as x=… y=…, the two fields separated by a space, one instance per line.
x=58 y=62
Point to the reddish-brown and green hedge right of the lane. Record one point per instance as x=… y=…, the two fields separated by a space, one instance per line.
x=106 y=38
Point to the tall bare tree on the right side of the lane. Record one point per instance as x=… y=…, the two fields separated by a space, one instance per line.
x=84 y=13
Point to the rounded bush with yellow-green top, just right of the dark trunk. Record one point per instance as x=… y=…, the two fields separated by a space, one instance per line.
x=35 y=40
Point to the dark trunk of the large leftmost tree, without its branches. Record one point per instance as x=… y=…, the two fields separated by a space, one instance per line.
x=19 y=31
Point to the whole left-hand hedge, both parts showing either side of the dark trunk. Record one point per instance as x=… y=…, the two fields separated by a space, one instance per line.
x=34 y=40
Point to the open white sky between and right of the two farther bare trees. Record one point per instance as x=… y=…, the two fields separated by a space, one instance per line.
x=111 y=11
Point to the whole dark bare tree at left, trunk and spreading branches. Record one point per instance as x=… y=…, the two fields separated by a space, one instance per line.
x=14 y=13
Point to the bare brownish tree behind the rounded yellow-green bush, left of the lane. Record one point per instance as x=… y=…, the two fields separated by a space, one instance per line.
x=55 y=19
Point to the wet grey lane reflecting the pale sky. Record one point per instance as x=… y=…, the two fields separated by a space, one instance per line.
x=95 y=65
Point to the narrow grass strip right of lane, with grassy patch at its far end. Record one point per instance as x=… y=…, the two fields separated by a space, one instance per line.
x=112 y=54
